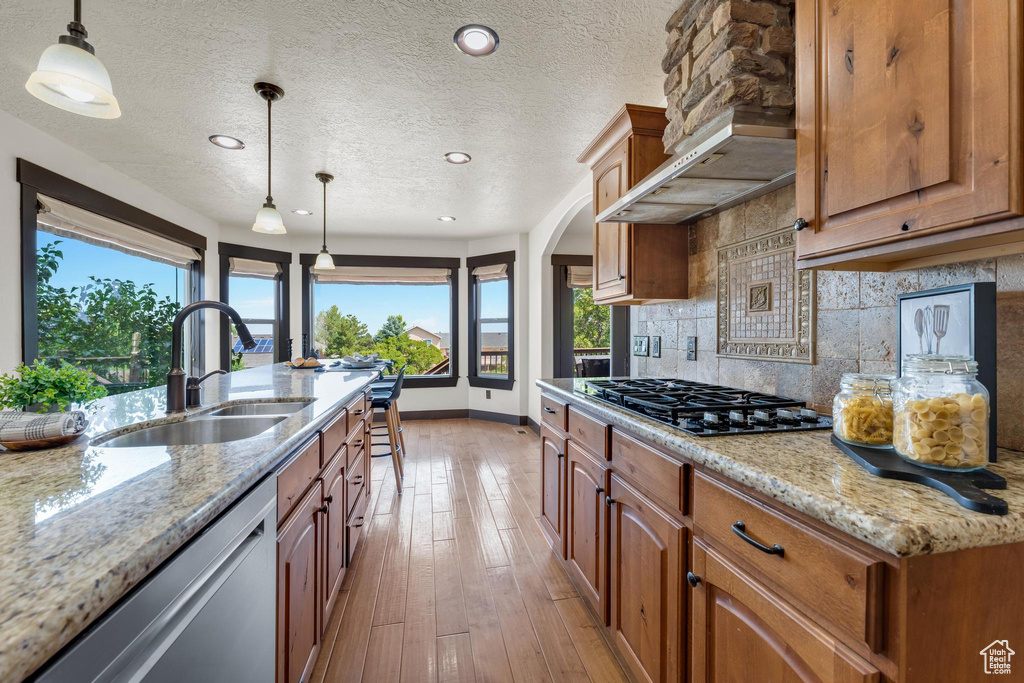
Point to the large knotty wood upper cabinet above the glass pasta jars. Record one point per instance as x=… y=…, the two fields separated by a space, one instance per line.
x=909 y=132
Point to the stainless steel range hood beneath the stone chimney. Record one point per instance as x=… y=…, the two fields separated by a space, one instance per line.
x=737 y=157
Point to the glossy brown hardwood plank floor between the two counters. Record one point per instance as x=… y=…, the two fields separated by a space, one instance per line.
x=454 y=580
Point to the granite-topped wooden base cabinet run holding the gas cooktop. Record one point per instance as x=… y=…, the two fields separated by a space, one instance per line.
x=767 y=557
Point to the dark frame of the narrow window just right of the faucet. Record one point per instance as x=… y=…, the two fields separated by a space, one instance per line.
x=282 y=298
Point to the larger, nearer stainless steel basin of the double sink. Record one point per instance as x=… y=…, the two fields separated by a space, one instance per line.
x=195 y=432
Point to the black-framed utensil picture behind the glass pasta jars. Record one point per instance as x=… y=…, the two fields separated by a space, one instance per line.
x=953 y=321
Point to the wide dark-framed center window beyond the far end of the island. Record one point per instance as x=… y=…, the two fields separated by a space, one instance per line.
x=404 y=309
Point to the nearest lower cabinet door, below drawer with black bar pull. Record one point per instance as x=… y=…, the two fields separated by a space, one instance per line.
x=744 y=632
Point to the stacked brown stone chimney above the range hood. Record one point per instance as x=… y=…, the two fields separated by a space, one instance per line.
x=728 y=55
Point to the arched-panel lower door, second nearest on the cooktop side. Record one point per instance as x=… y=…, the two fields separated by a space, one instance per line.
x=647 y=599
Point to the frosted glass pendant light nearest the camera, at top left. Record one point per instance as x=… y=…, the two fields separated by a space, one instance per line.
x=71 y=77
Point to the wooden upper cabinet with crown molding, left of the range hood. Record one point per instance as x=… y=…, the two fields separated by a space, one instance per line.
x=633 y=264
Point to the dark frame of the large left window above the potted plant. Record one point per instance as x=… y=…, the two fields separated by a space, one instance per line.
x=37 y=181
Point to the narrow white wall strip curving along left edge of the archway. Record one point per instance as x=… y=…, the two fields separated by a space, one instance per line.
x=543 y=239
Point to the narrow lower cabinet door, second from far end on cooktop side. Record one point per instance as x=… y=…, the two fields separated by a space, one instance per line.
x=586 y=531
